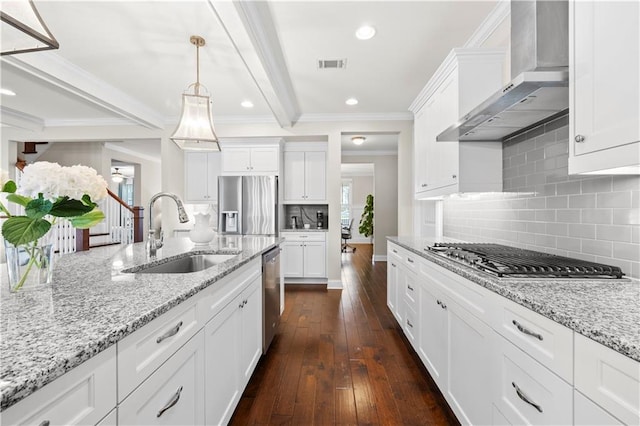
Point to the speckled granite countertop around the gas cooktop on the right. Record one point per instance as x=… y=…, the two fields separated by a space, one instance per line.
x=607 y=311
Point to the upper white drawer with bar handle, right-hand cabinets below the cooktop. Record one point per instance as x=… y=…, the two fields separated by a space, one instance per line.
x=545 y=340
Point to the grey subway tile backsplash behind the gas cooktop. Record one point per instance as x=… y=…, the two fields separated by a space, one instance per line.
x=542 y=208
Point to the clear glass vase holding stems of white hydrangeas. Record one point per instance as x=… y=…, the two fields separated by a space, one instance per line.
x=30 y=265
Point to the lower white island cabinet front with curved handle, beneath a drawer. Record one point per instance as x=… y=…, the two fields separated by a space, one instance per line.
x=173 y=394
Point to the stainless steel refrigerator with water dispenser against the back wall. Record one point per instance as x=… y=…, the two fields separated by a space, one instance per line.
x=248 y=205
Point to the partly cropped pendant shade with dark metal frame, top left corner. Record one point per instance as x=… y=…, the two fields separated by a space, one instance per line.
x=23 y=30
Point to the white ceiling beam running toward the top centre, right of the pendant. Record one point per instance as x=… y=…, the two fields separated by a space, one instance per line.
x=251 y=30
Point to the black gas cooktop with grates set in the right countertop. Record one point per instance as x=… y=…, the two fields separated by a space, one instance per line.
x=504 y=260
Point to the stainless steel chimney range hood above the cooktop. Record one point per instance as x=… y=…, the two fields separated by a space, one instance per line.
x=539 y=88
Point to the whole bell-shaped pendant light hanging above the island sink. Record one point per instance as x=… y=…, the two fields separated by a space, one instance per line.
x=195 y=129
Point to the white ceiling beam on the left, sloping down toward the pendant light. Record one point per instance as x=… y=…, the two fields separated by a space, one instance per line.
x=53 y=69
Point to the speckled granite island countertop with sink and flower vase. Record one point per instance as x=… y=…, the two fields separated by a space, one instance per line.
x=92 y=304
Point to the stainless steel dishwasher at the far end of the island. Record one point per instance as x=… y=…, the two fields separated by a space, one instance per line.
x=270 y=296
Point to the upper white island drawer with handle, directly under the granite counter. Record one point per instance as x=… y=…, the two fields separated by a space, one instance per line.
x=146 y=349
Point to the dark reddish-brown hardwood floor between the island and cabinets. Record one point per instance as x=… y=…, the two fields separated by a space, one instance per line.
x=339 y=357
